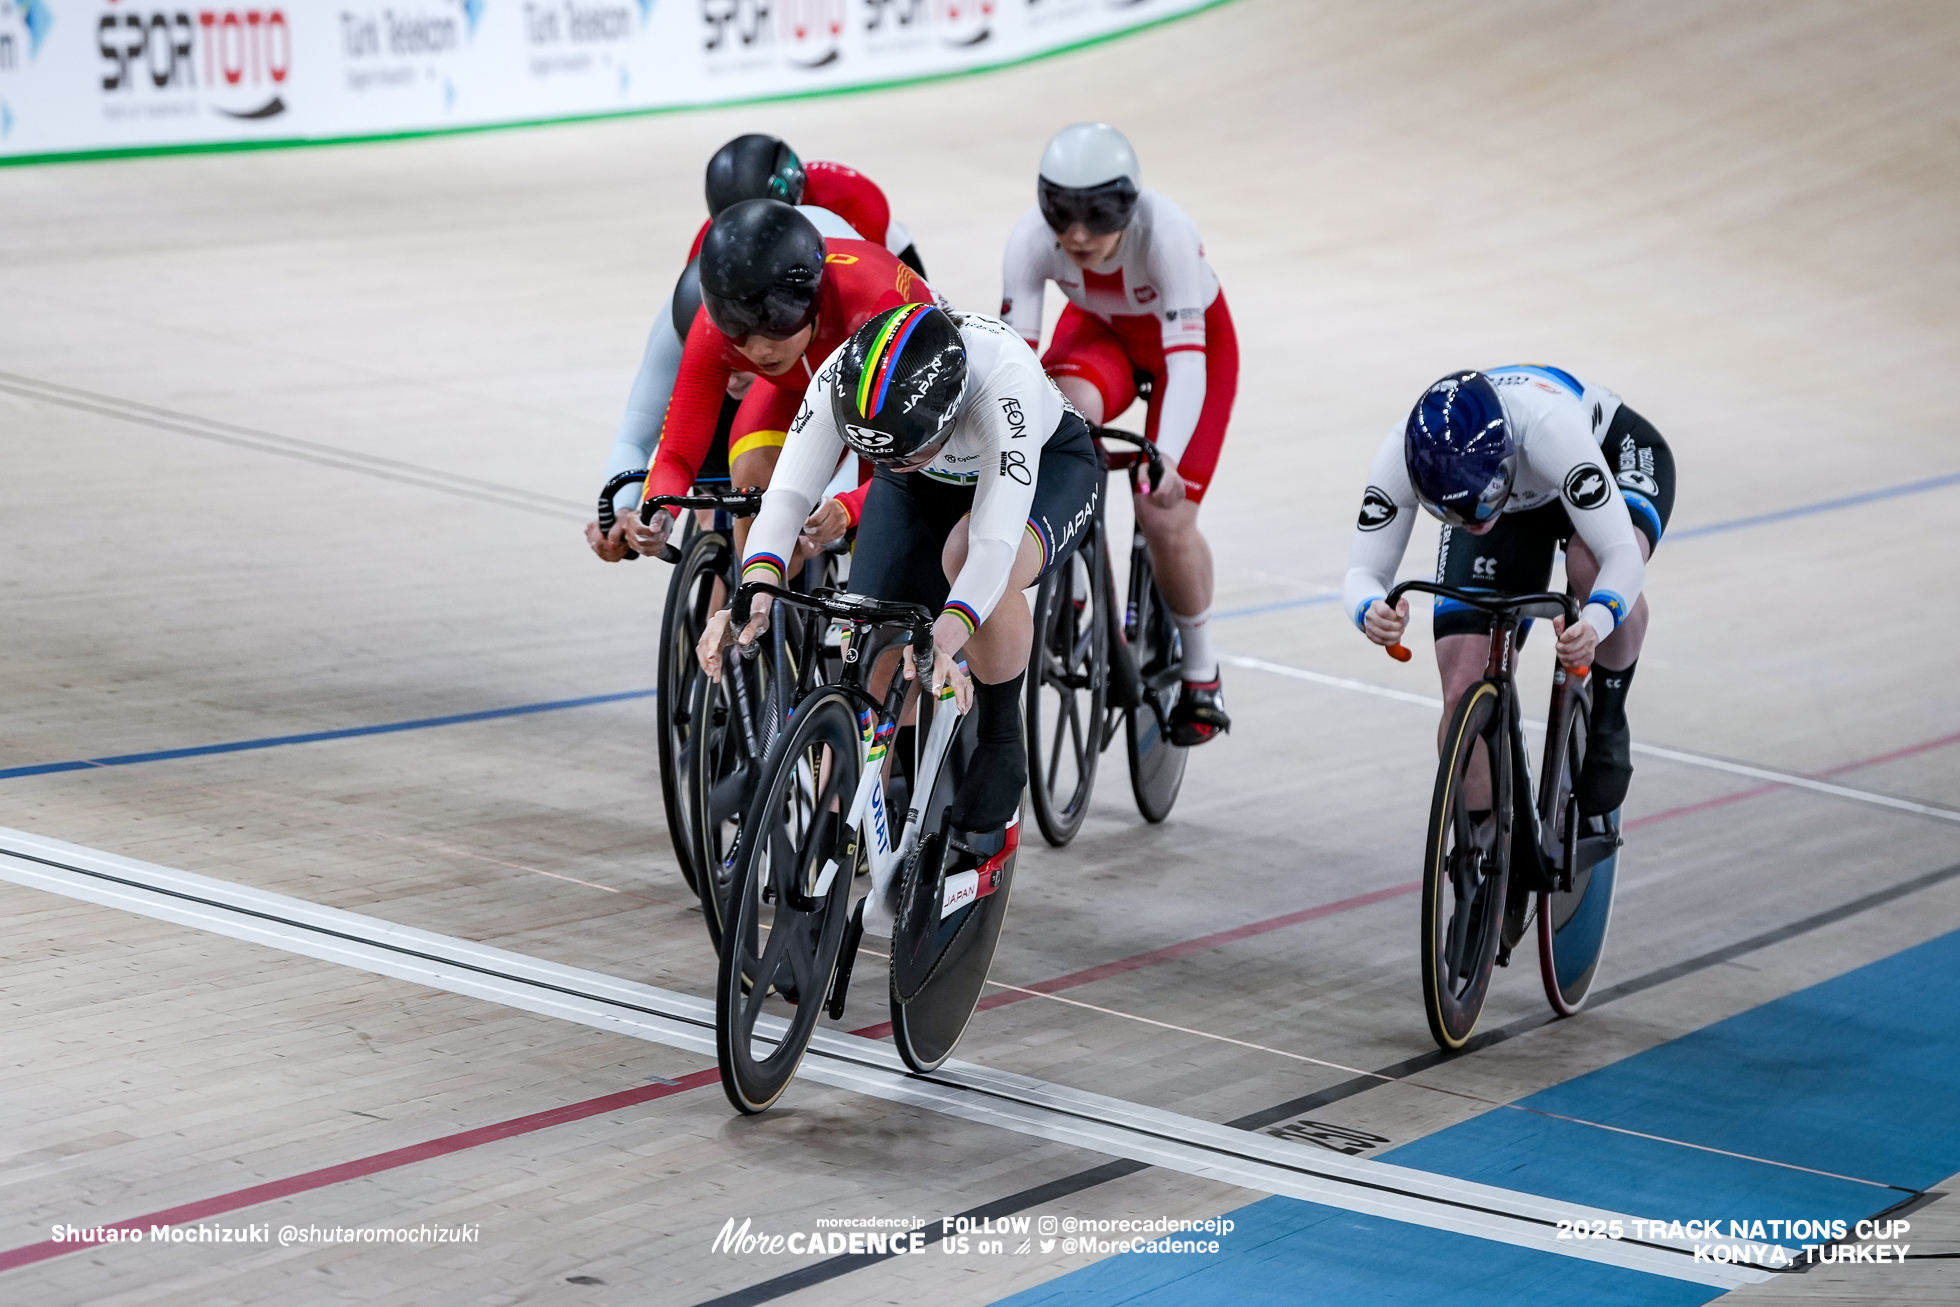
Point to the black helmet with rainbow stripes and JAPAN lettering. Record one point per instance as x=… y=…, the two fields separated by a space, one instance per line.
x=899 y=383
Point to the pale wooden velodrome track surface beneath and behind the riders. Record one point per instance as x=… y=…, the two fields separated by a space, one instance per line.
x=303 y=444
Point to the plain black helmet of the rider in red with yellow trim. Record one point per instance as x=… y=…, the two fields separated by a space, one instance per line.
x=761 y=269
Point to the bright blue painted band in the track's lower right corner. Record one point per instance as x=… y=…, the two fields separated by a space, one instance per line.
x=1859 y=1075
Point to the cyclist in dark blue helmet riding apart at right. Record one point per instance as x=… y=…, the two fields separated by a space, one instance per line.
x=1518 y=463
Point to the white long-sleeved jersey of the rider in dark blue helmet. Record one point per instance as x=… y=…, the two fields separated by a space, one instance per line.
x=1557 y=424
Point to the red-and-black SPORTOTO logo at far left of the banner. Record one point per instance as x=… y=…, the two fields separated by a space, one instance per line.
x=162 y=60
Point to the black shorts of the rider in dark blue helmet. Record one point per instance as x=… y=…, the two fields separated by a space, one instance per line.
x=1516 y=556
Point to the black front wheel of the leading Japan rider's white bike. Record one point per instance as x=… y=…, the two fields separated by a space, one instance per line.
x=791 y=904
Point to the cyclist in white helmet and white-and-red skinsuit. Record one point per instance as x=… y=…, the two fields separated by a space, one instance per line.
x=1144 y=305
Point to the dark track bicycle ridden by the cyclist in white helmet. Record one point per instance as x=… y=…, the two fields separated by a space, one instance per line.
x=1099 y=671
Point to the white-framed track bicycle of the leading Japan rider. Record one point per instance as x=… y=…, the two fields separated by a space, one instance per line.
x=822 y=816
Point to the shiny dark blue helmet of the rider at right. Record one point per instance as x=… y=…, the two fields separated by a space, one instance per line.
x=1459 y=448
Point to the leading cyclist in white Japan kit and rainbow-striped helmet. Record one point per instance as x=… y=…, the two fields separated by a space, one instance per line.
x=985 y=483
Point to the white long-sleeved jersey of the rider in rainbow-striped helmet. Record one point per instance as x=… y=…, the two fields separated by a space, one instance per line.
x=1006 y=418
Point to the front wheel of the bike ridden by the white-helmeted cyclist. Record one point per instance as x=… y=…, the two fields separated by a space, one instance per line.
x=1067 y=693
